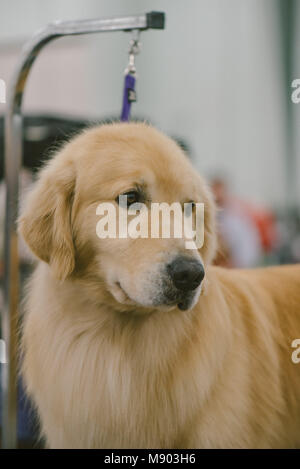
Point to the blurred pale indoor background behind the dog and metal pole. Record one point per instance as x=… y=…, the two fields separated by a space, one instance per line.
x=218 y=79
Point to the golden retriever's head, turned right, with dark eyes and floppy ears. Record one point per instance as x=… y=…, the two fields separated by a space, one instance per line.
x=103 y=167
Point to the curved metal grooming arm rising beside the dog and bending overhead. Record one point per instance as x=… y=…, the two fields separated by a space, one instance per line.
x=13 y=160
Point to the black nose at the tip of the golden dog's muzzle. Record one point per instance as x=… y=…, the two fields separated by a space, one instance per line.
x=187 y=274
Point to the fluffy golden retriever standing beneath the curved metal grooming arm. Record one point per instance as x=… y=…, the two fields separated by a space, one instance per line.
x=142 y=343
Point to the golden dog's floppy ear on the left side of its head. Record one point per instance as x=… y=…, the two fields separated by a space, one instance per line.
x=45 y=223
